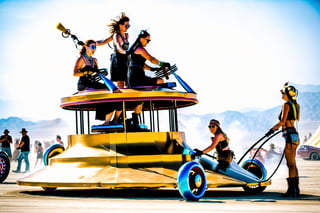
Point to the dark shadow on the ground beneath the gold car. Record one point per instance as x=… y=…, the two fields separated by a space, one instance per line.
x=166 y=194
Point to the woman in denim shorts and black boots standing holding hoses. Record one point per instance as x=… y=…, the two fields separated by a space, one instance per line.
x=289 y=114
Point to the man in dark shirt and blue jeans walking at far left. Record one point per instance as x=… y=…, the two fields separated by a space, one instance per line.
x=24 y=146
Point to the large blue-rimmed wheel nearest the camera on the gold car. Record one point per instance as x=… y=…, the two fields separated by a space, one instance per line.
x=192 y=182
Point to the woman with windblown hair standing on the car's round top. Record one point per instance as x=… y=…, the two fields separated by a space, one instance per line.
x=119 y=59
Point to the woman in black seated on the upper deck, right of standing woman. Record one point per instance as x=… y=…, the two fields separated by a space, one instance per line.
x=136 y=75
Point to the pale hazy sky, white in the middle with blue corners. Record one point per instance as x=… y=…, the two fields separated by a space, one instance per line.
x=234 y=54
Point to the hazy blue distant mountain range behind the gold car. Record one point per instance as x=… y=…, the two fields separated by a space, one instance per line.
x=253 y=121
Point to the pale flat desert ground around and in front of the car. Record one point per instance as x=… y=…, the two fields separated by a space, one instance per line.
x=15 y=198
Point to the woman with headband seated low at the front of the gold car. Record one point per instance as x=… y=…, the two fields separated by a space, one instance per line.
x=220 y=142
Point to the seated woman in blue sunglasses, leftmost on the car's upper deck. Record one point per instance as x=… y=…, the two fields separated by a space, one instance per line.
x=85 y=66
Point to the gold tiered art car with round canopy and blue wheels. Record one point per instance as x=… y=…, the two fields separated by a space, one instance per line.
x=155 y=156
